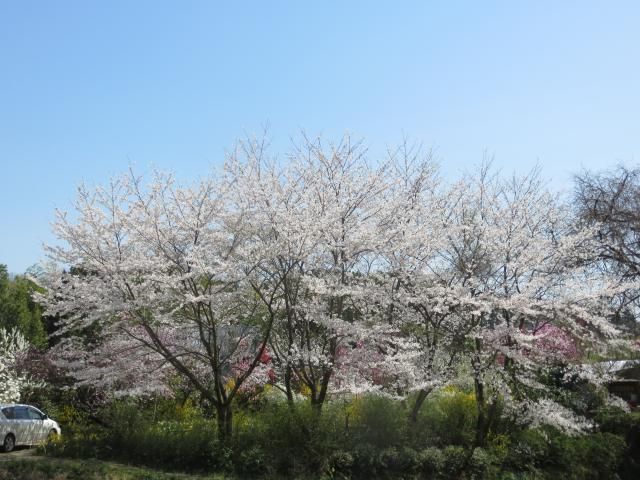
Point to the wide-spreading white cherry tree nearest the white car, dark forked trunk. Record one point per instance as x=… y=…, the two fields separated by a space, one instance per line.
x=166 y=274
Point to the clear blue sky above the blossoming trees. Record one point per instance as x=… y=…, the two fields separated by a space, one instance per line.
x=89 y=87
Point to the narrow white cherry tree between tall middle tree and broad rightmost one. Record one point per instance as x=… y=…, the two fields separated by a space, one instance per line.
x=408 y=244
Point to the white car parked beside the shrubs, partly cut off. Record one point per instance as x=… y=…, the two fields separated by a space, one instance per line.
x=24 y=425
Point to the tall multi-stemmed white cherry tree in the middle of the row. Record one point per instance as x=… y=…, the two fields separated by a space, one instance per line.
x=321 y=216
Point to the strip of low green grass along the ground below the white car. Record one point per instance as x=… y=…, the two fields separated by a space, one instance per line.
x=45 y=468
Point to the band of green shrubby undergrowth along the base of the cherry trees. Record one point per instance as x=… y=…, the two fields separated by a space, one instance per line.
x=364 y=437
